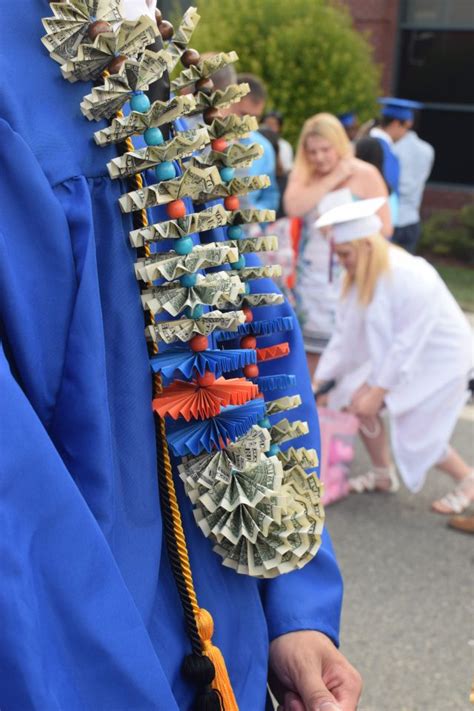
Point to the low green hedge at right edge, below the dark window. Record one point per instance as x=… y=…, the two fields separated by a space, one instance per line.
x=449 y=234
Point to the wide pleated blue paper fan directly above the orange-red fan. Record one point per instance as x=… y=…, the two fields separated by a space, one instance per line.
x=186 y=361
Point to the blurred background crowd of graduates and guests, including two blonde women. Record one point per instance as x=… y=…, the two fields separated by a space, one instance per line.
x=392 y=338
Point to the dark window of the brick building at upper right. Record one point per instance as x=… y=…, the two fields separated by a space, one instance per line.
x=436 y=67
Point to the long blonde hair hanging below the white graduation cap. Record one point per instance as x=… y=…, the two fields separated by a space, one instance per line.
x=372 y=261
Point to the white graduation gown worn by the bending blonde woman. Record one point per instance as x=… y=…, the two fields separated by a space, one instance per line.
x=414 y=341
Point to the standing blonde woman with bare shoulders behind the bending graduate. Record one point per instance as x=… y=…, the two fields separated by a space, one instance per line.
x=325 y=174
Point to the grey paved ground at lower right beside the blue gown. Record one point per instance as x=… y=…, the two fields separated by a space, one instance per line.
x=408 y=622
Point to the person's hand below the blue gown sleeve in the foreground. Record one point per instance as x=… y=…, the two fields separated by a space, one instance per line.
x=308 y=673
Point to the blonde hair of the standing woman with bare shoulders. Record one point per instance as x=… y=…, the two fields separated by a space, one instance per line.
x=325 y=126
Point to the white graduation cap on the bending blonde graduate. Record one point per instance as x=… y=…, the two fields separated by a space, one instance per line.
x=353 y=220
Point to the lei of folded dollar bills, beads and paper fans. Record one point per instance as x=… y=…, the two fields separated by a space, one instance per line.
x=254 y=501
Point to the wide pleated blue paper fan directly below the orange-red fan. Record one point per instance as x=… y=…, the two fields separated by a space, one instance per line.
x=232 y=422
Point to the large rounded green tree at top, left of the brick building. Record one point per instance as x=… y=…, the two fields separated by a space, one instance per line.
x=306 y=51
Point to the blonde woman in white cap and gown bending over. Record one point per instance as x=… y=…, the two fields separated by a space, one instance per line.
x=401 y=342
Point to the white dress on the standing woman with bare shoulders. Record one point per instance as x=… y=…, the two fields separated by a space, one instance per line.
x=318 y=277
